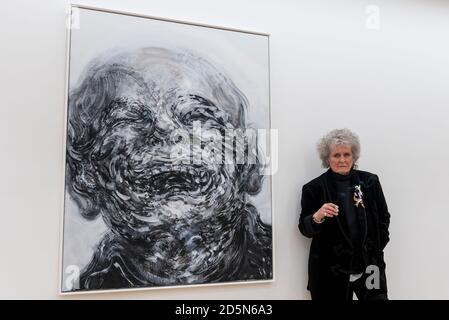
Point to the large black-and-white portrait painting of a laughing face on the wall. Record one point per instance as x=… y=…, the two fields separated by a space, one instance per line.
x=165 y=161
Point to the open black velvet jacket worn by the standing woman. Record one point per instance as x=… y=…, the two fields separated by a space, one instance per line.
x=331 y=249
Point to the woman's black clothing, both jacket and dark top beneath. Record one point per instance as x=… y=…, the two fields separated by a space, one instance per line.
x=340 y=248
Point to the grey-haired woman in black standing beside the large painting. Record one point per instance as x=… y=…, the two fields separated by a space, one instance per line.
x=345 y=213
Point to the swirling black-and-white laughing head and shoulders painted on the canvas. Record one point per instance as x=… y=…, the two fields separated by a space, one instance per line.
x=175 y=217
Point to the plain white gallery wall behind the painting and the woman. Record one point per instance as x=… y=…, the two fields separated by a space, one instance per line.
x=378 y=67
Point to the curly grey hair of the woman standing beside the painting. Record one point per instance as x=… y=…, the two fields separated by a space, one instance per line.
x=338 y=137
